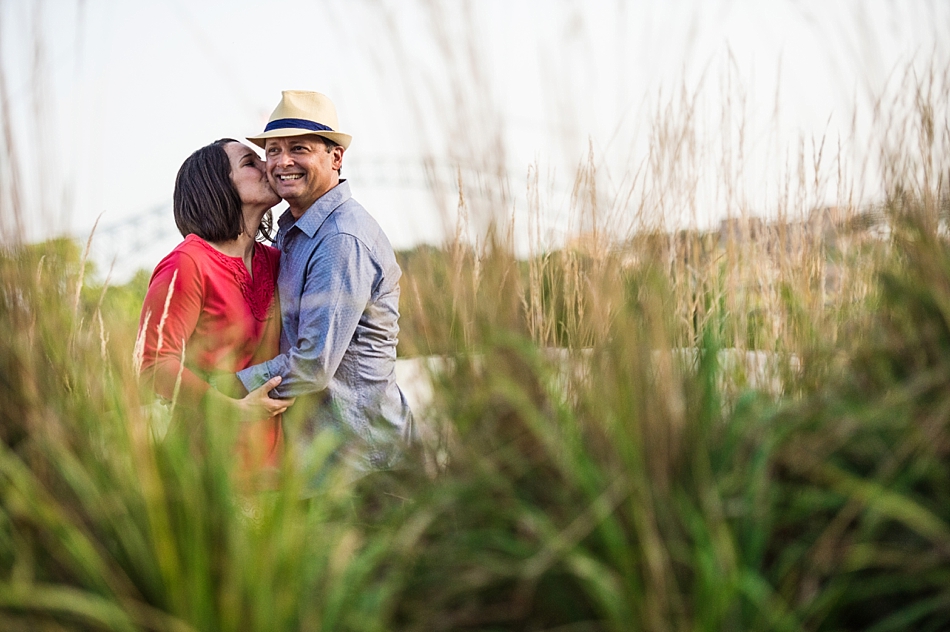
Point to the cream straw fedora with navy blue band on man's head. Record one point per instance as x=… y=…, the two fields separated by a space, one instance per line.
x=300 y=112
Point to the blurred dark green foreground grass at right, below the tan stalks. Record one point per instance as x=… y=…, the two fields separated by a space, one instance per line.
x=639 y=496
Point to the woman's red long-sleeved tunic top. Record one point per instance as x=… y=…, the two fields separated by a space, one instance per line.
x=219 y=318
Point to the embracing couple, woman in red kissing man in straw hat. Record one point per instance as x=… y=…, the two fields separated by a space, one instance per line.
x=300 y=336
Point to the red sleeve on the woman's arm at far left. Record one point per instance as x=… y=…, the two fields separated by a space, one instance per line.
x=177 y=284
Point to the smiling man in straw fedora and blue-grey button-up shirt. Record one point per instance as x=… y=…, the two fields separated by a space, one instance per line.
x=339 y=292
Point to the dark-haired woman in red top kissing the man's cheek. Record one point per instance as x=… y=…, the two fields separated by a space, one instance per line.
x=210 y=306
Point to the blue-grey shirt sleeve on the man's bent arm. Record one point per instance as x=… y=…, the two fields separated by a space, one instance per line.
x=339 y=284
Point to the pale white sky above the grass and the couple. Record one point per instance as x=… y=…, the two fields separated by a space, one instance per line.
x=109 y=96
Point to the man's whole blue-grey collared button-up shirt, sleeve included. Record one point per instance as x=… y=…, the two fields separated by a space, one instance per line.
x=339 y=299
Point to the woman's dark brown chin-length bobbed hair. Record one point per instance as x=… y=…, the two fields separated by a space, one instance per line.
x=206 y=201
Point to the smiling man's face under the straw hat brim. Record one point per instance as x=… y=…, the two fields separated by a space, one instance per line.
x=301 y=169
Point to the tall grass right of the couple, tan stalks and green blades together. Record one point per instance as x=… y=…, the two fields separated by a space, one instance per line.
x=656 y=496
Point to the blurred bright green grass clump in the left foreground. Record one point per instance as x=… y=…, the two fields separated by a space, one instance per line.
x=103 y=527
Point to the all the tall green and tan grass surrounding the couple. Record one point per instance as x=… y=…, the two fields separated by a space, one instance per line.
x=596 y=464
